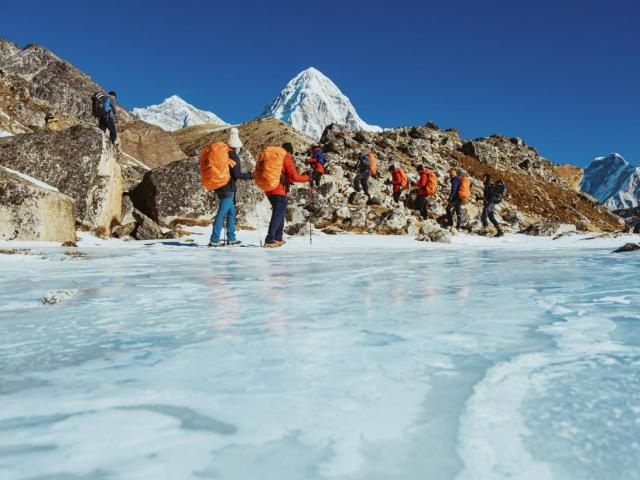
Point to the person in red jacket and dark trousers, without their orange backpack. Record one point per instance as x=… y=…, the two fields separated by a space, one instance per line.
x=278 y=197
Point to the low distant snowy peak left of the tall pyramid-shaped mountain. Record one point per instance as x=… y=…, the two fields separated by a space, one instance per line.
x=174 y=113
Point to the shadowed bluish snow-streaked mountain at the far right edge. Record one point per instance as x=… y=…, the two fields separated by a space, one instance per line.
x=613 y=182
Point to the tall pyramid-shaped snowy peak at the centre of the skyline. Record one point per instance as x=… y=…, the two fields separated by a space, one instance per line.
x=311 y=101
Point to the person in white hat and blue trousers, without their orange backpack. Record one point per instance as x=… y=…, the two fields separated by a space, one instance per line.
x=227 y=195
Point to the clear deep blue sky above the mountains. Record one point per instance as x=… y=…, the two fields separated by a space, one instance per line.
x=563 y=75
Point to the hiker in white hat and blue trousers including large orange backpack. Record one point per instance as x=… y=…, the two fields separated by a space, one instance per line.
x=220 y=164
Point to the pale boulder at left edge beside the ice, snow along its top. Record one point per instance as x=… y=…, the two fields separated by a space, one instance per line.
x=32 y=211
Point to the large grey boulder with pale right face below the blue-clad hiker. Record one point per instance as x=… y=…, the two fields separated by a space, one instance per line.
x=80 y=163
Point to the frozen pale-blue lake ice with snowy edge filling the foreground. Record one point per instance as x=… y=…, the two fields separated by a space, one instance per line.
x=353 y=358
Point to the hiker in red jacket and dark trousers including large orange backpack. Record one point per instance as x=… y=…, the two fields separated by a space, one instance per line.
x=275 y=171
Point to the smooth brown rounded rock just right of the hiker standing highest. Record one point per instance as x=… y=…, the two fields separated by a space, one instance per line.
x=150 y=144
